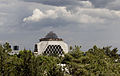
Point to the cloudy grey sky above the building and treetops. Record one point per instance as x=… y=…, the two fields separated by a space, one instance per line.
x=78 y=22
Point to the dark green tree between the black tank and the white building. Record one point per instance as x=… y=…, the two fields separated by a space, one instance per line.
x=25 y=68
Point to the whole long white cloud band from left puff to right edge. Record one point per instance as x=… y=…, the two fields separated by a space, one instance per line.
x=78 y=15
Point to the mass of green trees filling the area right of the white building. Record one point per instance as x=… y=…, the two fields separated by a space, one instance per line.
x=94 y=62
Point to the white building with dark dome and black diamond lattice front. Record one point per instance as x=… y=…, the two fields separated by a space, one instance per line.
x=50 y=44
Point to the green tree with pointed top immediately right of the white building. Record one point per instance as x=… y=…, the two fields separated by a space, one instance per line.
x=74 y=61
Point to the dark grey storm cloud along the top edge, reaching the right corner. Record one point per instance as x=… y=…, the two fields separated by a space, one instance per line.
x=111 y=4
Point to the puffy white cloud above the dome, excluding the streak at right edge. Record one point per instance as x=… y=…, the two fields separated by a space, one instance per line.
x=63 y=13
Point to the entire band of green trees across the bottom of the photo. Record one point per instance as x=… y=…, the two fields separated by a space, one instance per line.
x=94 y=62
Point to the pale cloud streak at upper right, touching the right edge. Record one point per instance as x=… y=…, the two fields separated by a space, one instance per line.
x=99 y=12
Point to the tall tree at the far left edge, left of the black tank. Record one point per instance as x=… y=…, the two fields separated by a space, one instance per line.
x=4 y=59
